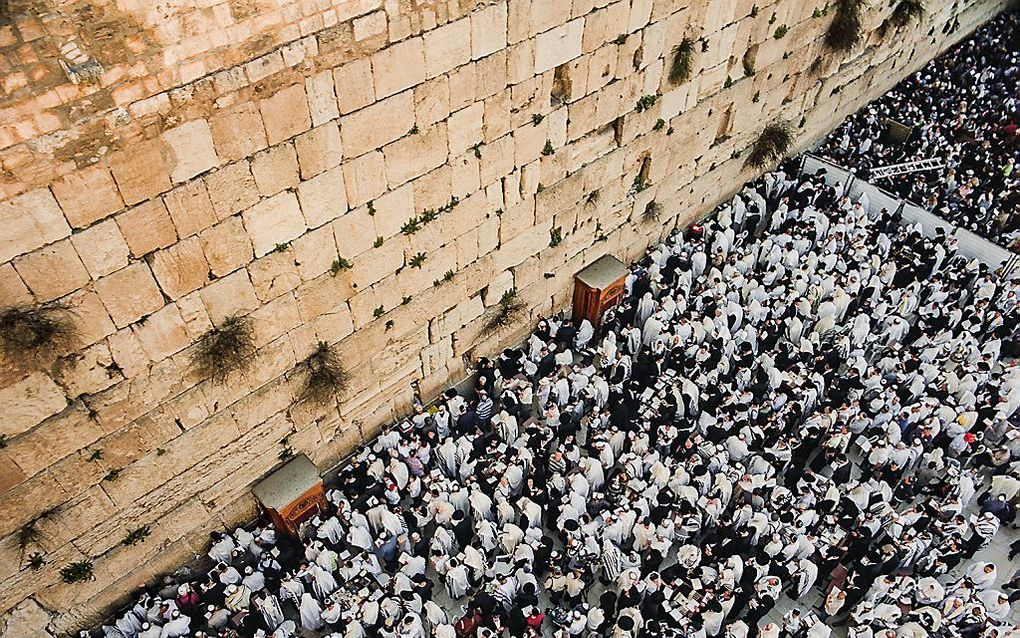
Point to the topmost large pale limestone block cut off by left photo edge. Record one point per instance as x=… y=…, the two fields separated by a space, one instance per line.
x=30 y=221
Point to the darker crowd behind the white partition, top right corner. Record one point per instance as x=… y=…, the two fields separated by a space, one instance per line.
x=964 y=110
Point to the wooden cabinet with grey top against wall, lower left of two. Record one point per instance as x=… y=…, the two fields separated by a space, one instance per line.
x=292 y=495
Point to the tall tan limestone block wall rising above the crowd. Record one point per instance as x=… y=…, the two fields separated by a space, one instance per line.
x=167 y=166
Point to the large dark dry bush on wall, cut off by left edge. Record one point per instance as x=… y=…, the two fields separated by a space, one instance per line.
x=29 y=334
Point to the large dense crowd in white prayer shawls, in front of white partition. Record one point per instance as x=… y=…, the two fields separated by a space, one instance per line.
x=806 y=399
